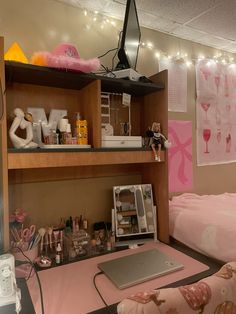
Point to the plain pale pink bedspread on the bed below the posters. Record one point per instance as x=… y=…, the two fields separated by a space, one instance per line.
x=205 y=223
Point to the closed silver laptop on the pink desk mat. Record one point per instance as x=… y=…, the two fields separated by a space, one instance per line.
x=132 y=269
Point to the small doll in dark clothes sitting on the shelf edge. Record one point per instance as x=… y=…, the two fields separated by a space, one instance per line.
x=157 y=140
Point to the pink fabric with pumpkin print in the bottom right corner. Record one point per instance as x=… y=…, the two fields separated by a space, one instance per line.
x=214 y=294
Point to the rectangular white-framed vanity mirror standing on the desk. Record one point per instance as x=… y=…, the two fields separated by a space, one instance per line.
x=134 y=210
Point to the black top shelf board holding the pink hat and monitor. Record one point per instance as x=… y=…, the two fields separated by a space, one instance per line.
x=37 y=75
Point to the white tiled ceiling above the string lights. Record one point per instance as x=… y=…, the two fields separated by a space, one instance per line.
x=209 y=22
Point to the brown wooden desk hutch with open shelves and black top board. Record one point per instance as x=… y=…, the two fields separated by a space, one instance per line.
x=34 y=86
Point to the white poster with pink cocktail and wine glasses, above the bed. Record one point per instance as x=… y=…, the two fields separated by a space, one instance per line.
x=215 y=112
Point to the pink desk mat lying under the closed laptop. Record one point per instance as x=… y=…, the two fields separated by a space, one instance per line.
x=69 y=288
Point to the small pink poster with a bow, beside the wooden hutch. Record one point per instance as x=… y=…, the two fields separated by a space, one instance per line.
x=180 y=156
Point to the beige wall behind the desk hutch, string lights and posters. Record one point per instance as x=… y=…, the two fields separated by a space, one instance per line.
x=41 y=25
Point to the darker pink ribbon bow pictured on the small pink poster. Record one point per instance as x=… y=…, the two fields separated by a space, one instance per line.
x=180 y=148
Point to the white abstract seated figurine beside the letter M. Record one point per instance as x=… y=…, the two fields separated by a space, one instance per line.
x=21 y=122
